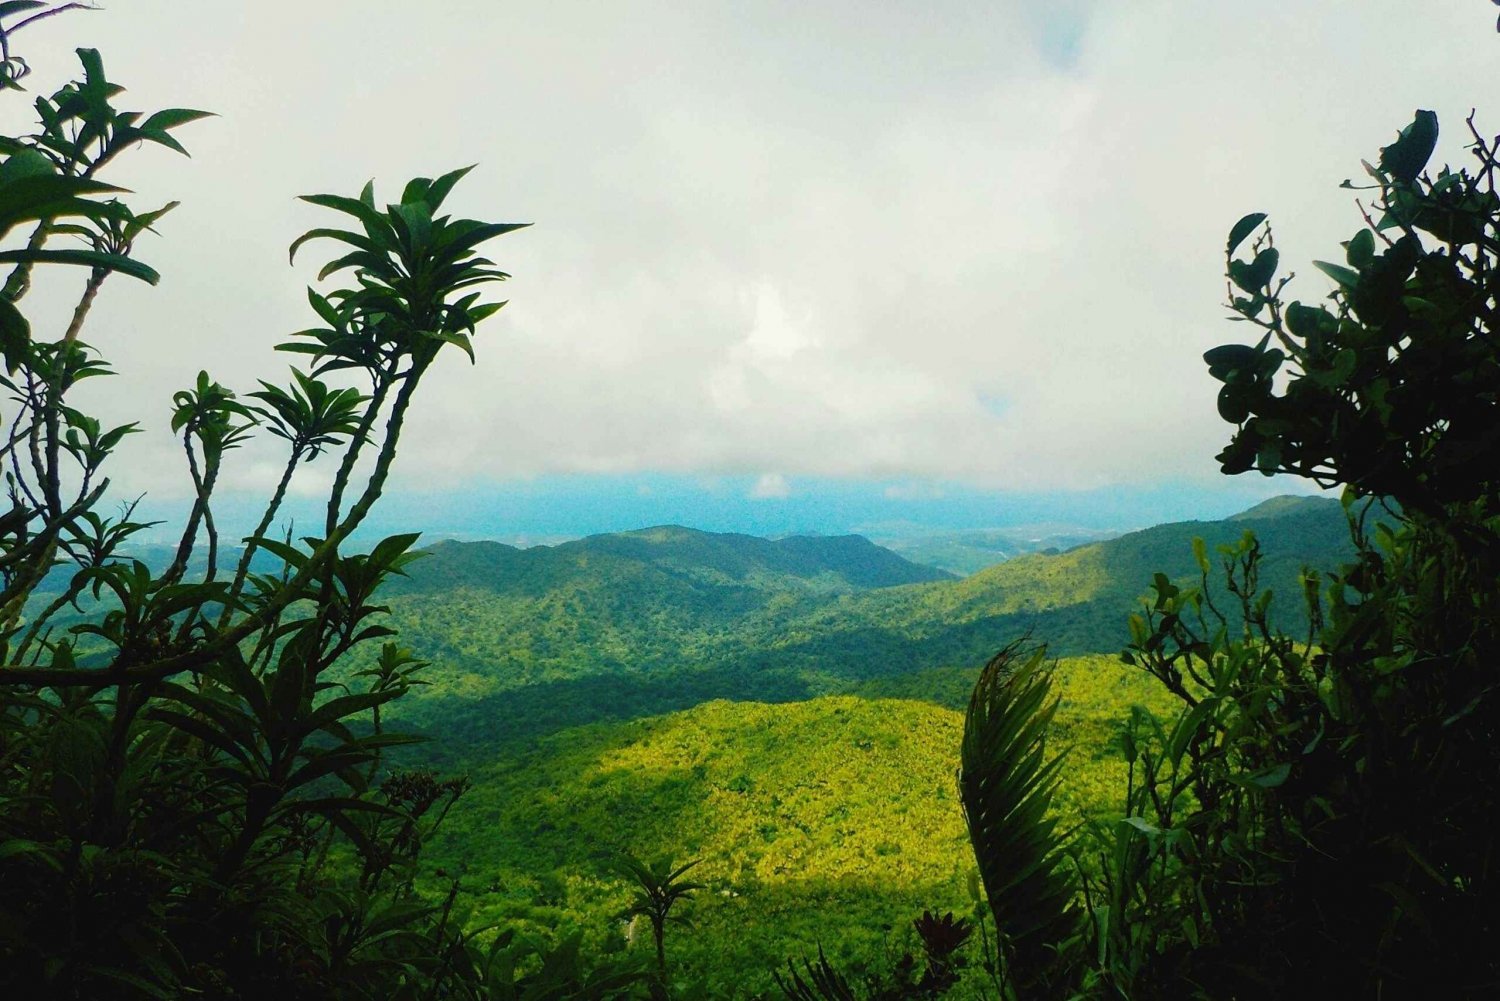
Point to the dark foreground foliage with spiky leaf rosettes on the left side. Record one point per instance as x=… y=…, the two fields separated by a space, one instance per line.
x=193 y=805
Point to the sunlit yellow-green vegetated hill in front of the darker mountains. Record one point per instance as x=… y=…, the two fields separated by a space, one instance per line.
x=830 y=823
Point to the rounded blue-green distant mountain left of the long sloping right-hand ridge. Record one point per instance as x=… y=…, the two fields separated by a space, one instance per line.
x=643 y=601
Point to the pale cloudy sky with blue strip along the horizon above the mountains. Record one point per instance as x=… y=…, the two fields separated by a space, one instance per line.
x=794 y=266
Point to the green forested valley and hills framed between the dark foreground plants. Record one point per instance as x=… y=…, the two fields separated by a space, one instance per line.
x=787 y=714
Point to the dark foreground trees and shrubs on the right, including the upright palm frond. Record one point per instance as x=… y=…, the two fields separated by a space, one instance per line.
x=1318 y=820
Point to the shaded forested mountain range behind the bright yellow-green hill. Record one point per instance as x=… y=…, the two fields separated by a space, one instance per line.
x=529 y=642
